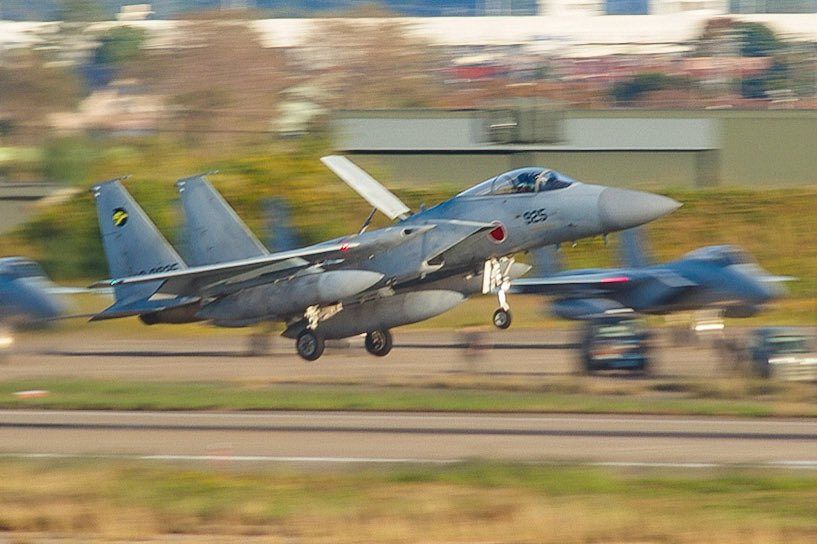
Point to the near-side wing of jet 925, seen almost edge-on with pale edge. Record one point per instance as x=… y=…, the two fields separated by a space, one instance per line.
x=219 y=277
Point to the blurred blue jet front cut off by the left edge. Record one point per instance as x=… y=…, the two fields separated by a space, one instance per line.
x=27 y=296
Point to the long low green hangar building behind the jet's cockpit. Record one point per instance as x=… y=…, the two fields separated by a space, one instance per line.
x=617 y=147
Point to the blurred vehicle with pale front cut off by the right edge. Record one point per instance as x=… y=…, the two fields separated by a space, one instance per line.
x=785 y=353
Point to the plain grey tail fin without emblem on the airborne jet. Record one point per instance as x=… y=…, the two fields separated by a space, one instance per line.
x=213 y=232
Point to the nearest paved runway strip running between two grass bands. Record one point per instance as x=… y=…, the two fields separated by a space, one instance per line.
x=352 y=437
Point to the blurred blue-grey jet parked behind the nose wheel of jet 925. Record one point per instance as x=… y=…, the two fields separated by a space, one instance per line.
x=721 y=277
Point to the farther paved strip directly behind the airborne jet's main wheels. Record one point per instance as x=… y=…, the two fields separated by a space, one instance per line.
x=158 y=355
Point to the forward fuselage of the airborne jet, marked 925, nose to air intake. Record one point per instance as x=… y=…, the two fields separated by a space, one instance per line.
x=521 y=221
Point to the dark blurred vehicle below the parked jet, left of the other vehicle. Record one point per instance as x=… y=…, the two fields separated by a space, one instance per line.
x=616 y=342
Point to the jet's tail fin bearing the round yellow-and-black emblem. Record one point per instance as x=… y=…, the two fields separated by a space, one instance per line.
x=133 y=244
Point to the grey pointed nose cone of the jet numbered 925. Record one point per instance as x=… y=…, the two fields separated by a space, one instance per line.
x=621 y=209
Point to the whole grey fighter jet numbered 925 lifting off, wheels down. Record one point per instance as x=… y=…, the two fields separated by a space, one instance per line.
x=367 y=283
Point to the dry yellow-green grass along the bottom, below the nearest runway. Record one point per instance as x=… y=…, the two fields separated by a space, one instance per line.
x=466 y=503
